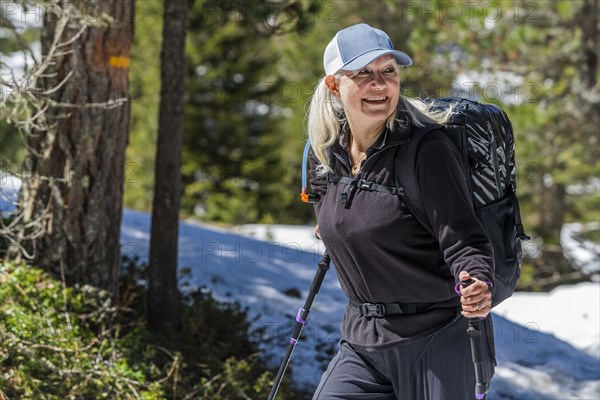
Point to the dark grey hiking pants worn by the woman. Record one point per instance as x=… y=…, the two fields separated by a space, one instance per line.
x=436 y=367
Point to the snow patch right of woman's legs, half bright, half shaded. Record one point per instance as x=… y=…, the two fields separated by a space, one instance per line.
x=548 y=345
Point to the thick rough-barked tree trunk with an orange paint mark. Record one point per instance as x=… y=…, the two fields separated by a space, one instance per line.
x=72 y=193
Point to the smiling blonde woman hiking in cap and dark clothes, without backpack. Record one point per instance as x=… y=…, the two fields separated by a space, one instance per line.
x=403 y=331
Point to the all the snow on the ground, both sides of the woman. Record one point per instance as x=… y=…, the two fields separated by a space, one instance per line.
x=547 y=344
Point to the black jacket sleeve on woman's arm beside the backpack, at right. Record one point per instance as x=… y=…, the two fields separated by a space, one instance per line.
x=448 y=204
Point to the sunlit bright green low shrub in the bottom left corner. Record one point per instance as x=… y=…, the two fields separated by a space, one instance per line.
x=60 y=343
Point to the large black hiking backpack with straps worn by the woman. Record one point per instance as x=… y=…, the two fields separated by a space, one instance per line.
x=484 y=137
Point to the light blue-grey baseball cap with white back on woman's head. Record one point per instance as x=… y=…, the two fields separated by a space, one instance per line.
x=354 y=47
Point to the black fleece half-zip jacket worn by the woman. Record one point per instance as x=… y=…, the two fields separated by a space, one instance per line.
x=382 y=254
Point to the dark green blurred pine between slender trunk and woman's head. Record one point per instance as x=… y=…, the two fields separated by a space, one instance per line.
x=233 y=139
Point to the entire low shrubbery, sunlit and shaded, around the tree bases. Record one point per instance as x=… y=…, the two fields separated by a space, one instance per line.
x=73 y=343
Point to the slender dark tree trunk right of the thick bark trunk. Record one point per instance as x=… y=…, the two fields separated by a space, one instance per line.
x=163 y=294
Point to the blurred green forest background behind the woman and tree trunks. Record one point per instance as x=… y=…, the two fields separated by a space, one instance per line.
x=250 y=70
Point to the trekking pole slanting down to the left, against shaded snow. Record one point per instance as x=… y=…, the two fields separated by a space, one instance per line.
x=301 y=318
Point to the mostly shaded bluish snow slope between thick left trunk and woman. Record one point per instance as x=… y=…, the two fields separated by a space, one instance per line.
x=256 y=273
